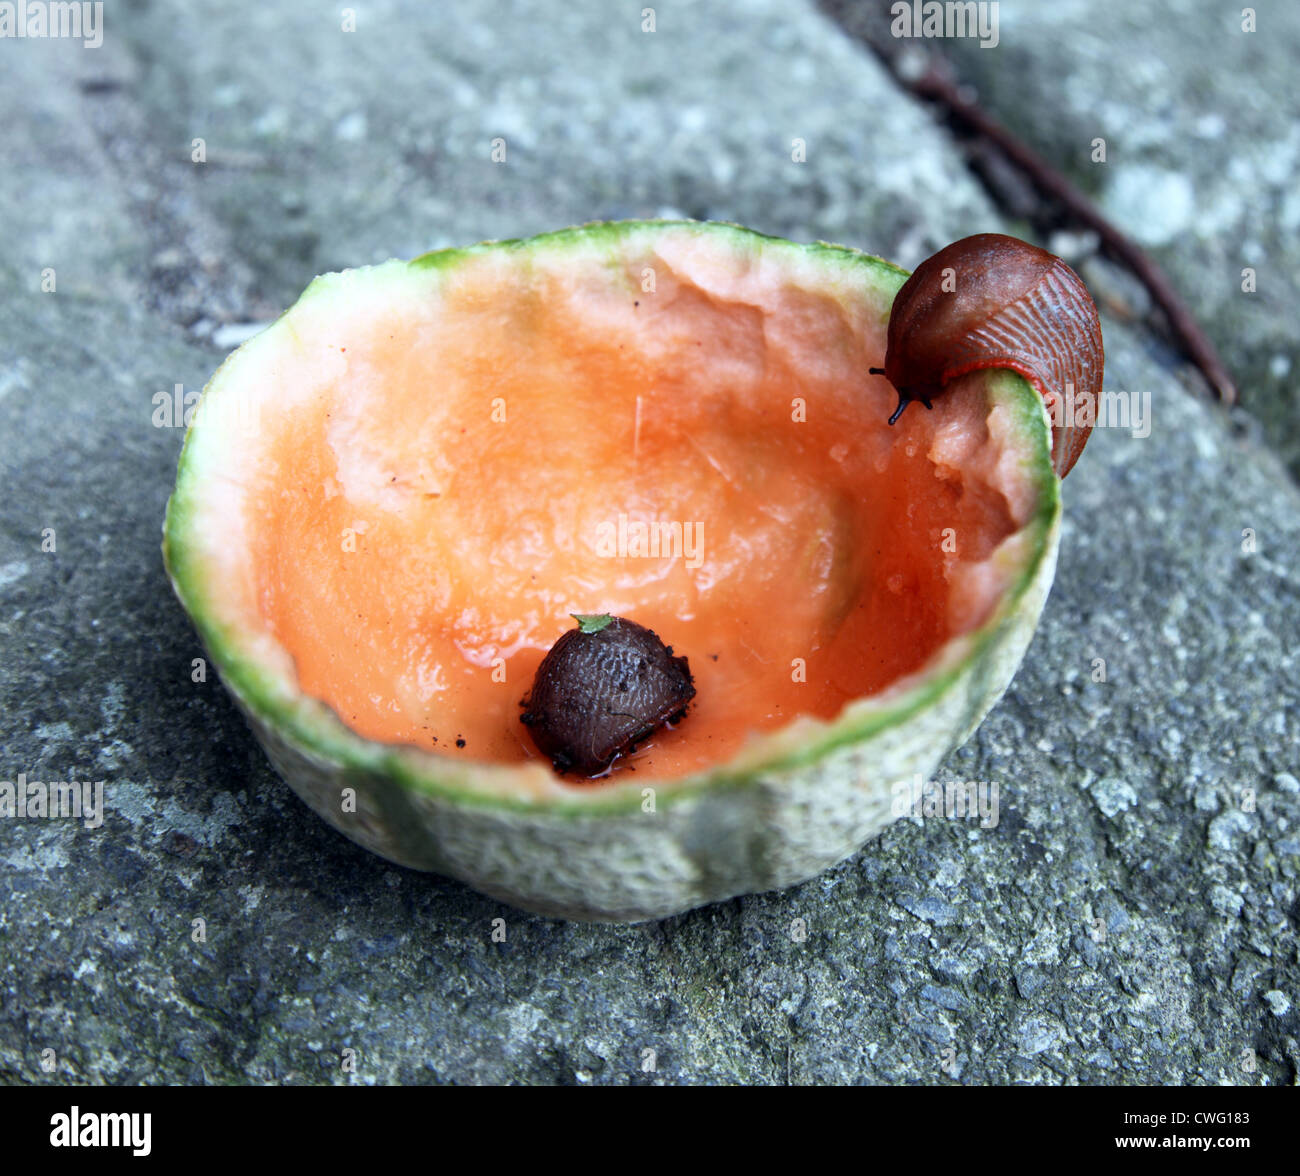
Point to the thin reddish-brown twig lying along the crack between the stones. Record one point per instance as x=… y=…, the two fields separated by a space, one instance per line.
x=938 y=86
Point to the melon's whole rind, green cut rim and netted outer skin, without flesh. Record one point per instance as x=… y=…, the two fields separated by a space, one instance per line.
x=596 y=853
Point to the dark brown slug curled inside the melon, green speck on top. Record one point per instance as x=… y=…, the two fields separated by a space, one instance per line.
x=603 y=689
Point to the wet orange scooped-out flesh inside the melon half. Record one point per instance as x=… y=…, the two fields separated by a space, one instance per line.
x=422 y=523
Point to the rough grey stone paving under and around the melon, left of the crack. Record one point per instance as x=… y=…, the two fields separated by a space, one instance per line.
x=1130 y=919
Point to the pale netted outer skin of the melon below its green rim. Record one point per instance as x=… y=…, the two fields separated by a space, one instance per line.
x=721 y=839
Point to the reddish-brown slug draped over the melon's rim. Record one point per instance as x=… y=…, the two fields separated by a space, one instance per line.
x=996 y=302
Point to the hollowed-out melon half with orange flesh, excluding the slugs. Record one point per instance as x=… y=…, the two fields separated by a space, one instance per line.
x=392 y=502
